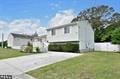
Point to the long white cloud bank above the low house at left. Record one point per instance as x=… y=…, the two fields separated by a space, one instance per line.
x=25 y=26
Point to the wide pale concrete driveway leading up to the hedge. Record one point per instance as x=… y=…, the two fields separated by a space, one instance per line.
x=19 y=65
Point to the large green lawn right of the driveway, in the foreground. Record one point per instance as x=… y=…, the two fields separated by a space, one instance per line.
x=96 y=65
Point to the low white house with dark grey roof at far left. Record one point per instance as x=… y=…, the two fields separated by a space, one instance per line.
x=16 y=41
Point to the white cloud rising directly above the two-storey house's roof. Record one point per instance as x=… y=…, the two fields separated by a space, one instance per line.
x=62 y=17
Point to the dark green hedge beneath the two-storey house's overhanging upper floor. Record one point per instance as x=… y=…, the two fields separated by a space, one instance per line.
x=64 y=47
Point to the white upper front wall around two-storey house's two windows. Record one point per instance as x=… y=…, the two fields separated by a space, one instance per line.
x=60 y=36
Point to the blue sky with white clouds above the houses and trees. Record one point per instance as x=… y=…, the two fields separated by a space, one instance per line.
x=28 y=16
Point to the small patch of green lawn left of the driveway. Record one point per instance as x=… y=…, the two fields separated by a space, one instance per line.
x=8 y=53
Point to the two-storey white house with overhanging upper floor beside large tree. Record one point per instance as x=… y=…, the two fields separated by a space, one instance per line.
x=80 y=32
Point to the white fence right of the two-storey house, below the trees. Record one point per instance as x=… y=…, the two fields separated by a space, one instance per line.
x=107 y=46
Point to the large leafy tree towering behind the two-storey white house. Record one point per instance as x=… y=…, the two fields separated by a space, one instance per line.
x=100 y=18
